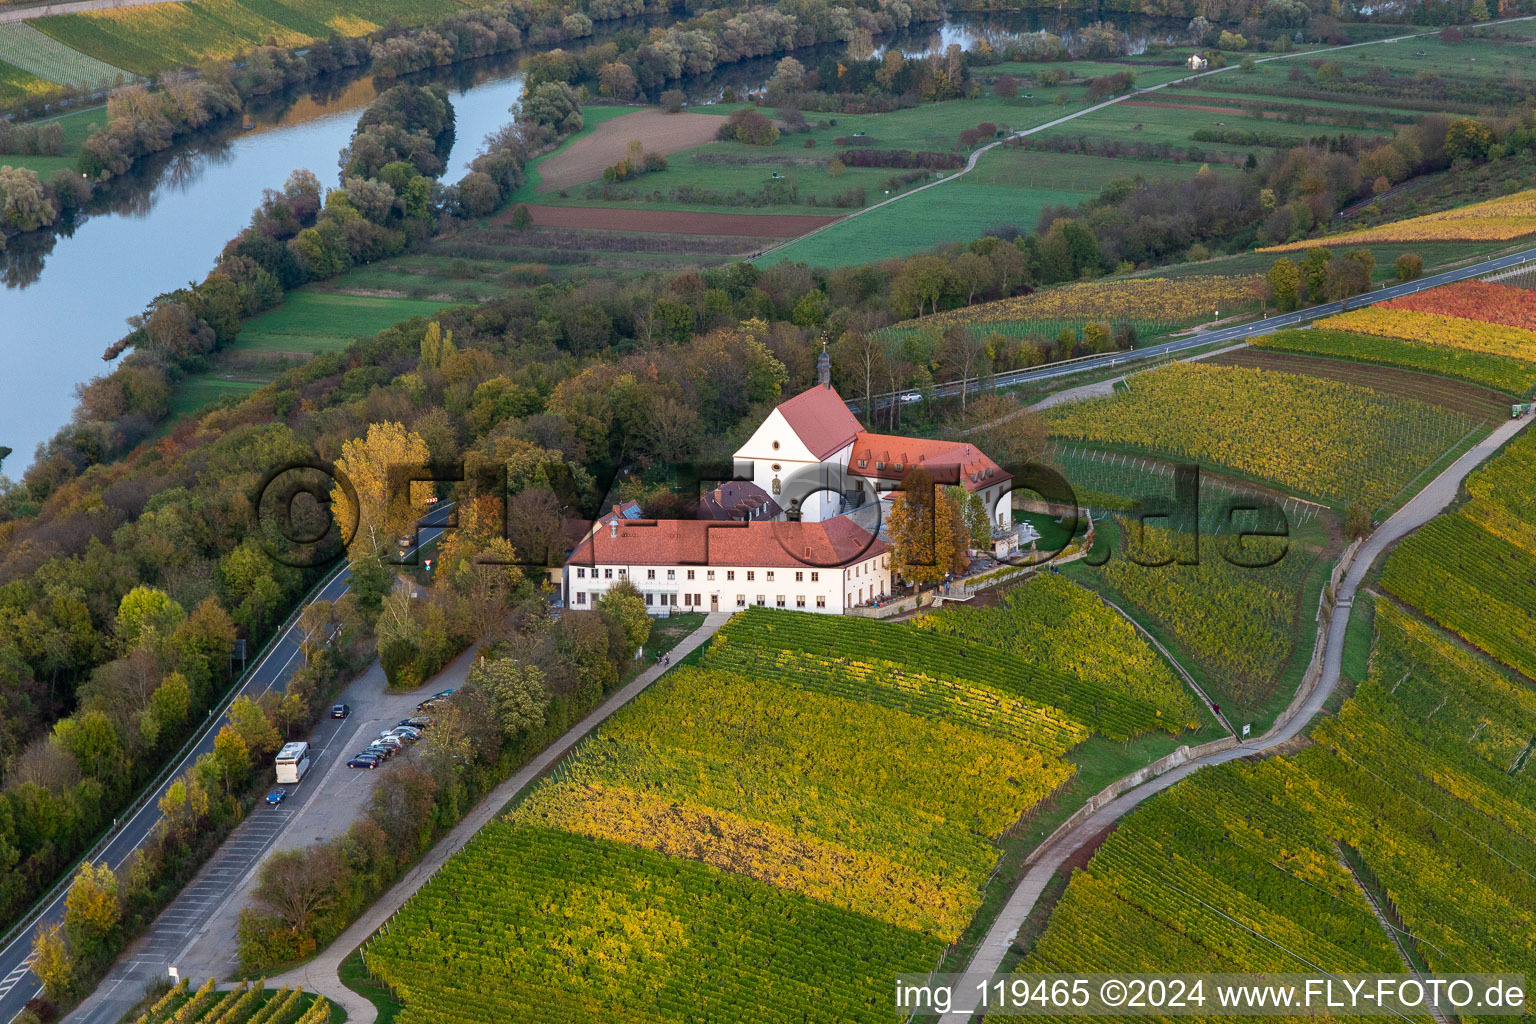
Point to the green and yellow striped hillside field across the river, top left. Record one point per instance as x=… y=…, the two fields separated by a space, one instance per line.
x=153 y=39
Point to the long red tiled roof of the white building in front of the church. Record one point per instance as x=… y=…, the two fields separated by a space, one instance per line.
x=835 y=543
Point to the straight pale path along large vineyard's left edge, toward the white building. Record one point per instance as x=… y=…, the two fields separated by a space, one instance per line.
x=323 y=974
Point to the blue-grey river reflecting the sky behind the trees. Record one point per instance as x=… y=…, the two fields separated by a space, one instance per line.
x=68 y=296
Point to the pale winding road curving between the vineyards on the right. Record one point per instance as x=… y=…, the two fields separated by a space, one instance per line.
x=1414 y=515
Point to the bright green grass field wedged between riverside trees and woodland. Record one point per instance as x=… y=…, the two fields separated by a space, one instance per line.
x=319 y=322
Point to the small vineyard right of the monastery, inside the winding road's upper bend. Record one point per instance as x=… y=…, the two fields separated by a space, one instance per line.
x=1239 y=624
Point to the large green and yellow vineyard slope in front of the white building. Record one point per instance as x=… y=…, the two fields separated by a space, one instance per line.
x=770 y=834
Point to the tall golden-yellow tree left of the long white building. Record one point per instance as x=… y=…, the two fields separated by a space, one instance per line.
x=376 y=466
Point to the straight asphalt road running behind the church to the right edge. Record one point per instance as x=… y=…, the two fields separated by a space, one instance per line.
x=1237 y=334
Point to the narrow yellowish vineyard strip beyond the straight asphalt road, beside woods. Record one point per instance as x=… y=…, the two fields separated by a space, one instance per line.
x=1136 y=300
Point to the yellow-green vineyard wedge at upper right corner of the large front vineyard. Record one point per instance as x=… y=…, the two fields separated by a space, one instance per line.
x=1053 y=623
